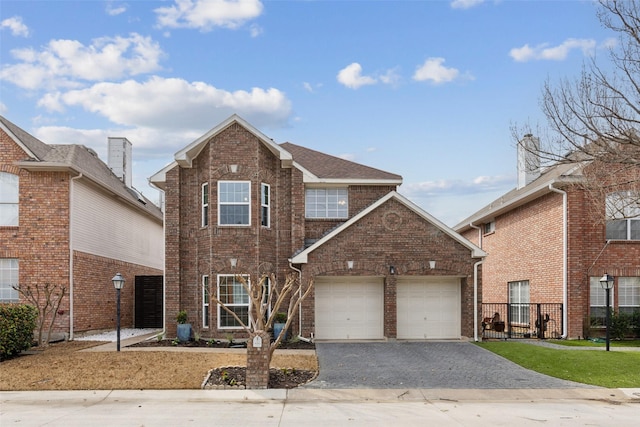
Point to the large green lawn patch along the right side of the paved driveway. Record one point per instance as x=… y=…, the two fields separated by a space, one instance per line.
x=613 y=369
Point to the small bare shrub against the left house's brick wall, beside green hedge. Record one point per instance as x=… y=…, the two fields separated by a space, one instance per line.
x=47 y=299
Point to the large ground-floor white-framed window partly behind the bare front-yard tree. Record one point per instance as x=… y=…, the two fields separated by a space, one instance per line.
x=233 y=295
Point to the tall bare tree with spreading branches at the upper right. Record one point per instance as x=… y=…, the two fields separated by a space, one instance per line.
x=593 y=120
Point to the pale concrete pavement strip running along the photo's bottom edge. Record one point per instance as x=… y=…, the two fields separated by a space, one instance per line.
x=283 y=408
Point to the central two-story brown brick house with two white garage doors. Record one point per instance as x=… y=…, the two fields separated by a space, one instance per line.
x=238 y=203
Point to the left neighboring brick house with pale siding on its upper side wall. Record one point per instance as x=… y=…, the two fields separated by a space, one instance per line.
x=66 y=219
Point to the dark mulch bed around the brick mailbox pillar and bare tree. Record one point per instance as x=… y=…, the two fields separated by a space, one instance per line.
x=233 y=377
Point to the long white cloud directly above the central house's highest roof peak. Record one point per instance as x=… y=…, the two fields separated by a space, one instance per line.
x=173 y=103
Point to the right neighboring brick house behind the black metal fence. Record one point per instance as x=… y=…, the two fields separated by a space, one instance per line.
x=545 y=246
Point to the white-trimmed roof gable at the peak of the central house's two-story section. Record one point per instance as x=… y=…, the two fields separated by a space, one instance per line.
x=186 y=156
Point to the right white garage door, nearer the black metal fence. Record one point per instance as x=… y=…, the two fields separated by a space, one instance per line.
x=428 y=308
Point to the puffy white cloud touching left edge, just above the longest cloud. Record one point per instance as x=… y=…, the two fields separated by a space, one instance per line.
x=62 y=63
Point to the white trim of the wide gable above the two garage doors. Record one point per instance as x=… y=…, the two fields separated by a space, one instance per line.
x=476 y=252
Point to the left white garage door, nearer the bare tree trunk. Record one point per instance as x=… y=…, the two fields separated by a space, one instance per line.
x=349 y=308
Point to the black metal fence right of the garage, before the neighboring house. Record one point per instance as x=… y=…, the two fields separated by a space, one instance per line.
x=532 y=320
